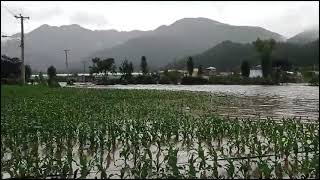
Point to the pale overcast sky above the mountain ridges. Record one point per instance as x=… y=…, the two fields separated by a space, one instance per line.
x=287 y=18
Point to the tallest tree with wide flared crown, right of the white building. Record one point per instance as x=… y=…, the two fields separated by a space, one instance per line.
x=265 y=48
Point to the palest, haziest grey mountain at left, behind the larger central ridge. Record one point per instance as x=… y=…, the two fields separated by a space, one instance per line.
x=44 y=46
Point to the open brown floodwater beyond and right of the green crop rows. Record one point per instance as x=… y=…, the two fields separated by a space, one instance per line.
x=290 y=100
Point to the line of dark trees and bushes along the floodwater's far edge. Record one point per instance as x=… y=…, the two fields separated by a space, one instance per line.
x=271 y=68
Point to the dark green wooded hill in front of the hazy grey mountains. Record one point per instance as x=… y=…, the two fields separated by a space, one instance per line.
x=228 y=56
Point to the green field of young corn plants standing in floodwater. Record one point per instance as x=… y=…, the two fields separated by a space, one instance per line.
x=88 y=133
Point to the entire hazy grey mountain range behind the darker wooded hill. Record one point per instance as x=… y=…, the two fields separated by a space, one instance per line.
x=44 y=46
